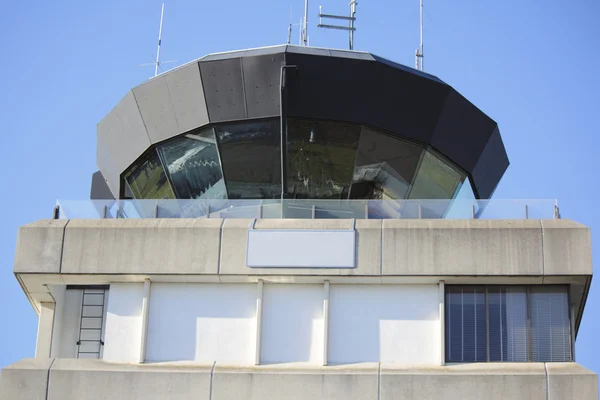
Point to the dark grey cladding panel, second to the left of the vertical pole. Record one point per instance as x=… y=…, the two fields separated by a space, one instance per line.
x=223 y=89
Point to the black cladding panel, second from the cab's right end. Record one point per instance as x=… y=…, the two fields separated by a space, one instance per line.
x=462 y=131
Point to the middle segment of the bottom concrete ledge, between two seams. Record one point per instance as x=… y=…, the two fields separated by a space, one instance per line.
x=358 y=383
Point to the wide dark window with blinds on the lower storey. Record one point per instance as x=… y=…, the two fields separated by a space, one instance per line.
x=507 y=323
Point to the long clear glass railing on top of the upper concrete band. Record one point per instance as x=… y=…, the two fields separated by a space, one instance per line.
x=307 y=209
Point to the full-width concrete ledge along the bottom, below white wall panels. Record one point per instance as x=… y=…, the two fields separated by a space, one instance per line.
x=65 y=379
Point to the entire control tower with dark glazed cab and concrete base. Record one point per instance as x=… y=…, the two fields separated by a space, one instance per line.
x=301 y=223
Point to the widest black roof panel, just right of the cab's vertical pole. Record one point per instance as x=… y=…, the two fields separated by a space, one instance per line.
x=365 y=92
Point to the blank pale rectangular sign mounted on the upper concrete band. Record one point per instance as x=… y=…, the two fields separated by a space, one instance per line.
x=301 y=249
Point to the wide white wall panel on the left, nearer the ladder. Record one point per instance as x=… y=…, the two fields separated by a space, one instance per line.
x=202 y=322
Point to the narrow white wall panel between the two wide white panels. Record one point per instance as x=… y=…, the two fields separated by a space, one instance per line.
x=292 y=325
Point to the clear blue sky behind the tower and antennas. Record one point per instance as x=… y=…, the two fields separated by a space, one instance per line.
x=532 y=66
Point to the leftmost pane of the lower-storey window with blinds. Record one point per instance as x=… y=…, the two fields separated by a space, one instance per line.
x=465 y=324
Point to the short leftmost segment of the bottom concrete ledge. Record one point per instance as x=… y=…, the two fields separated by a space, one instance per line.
x=25 y=380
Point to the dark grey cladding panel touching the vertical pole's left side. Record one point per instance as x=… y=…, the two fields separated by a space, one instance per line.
x=261 y=84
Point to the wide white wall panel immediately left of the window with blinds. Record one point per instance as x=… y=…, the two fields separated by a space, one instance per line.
x=384 y=323
